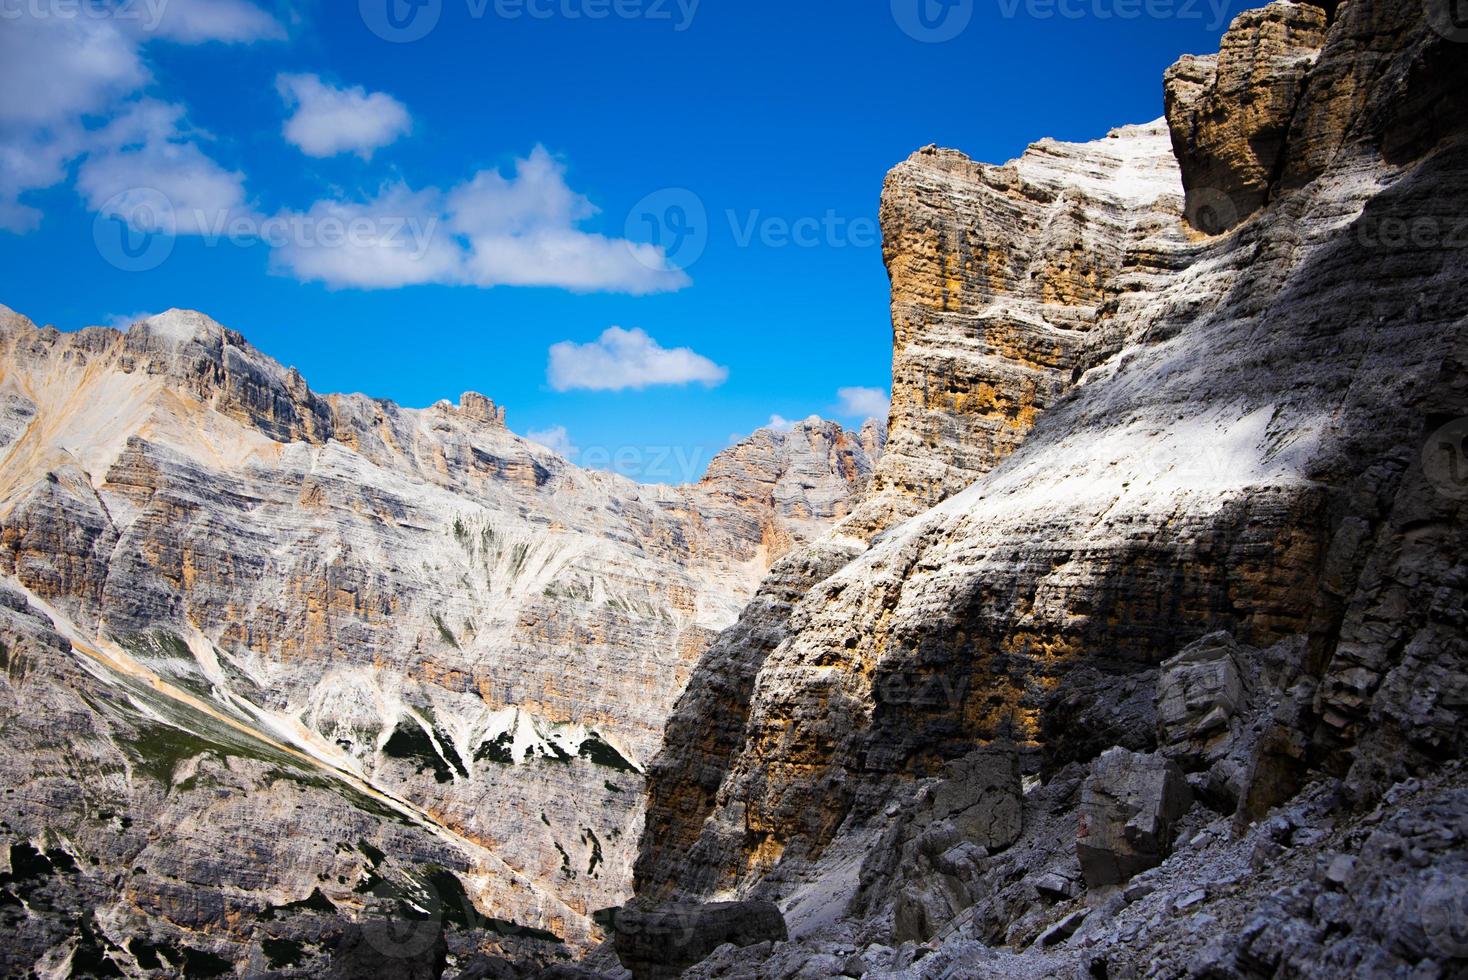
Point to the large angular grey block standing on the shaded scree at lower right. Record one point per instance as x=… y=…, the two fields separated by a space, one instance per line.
x=1130 y=812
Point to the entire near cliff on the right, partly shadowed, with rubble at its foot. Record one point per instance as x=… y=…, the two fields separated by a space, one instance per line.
x=1146 y=428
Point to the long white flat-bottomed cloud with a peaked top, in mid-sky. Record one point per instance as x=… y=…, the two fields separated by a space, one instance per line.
x=490 y=231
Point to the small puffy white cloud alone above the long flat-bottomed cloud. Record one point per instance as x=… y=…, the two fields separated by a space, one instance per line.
x=330 y=121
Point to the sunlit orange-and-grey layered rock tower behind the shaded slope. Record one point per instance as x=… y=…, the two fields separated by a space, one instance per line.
x=1000 y=275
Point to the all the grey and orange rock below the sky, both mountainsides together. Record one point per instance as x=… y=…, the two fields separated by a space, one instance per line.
x=1177 y=513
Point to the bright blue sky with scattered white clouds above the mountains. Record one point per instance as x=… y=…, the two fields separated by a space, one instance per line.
x=529 y=177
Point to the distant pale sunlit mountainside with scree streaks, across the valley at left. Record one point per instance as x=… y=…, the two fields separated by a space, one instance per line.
x=266 y=612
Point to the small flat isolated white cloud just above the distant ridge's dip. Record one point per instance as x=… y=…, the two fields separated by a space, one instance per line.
x=625 y=360
